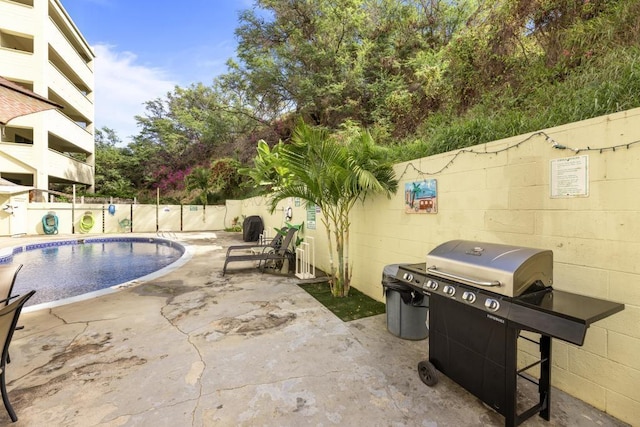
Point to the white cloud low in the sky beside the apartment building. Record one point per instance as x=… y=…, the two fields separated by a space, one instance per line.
x=122 y=87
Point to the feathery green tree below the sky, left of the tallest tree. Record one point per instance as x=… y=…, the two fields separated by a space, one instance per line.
x=184 y=130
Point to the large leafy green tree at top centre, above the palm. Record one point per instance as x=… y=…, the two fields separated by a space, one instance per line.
x=372 y=61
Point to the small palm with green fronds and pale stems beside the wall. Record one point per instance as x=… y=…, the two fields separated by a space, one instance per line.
x=334 y=172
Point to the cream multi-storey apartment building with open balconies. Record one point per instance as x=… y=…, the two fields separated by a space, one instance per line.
x=42 y=50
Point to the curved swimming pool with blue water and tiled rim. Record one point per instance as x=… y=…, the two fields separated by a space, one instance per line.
x=70 y=270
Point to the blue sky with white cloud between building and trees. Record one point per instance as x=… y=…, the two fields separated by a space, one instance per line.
x=144 y=48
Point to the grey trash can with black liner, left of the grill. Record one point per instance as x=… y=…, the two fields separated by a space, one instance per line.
x=407 y=309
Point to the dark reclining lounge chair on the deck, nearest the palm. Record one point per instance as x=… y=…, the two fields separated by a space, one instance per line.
x=277 y=250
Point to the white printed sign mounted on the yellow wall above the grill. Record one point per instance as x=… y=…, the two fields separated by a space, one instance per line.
x=569 y=177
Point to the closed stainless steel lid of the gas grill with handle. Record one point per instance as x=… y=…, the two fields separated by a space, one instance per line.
x=504 y=269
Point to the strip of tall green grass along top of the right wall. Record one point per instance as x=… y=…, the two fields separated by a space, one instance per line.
x=598 y=87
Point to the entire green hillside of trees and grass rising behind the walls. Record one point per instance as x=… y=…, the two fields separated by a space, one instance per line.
x=423 y=76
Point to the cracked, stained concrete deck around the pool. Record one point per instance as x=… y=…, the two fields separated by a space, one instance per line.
x=194 y=348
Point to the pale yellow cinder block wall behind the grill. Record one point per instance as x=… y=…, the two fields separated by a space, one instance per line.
x=500 y=192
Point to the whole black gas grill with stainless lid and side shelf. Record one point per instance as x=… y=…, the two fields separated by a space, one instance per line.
x=482 y=296
